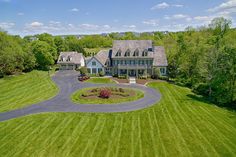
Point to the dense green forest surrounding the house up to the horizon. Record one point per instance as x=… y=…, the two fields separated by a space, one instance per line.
x=203 y=59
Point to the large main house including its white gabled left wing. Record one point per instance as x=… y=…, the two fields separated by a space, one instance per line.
x=128 y=57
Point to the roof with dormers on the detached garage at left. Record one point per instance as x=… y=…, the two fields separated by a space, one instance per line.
x=70 y=57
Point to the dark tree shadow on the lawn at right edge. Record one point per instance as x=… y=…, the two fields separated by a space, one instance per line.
x=230 y=107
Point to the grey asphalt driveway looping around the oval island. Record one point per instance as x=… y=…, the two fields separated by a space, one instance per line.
x=68 y=83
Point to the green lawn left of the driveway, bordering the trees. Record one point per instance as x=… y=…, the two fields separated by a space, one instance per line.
x=26 y=89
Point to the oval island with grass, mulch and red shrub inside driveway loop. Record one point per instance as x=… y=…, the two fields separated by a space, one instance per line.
x=106 y=95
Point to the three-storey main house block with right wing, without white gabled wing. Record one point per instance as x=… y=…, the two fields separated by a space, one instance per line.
x=137 y=57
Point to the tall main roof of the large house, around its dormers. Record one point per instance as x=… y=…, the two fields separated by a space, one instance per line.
x=132 y=45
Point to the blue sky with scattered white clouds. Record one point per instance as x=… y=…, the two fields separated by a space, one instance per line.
x=60 y=17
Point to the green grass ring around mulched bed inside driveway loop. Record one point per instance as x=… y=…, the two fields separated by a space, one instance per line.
x=77 y=97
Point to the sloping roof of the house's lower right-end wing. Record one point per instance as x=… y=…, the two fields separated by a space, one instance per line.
x=159 y=56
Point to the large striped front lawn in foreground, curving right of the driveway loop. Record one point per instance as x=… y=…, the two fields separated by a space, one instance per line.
x=178 y=125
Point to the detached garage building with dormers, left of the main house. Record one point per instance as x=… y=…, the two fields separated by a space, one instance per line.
x=70 y=60
